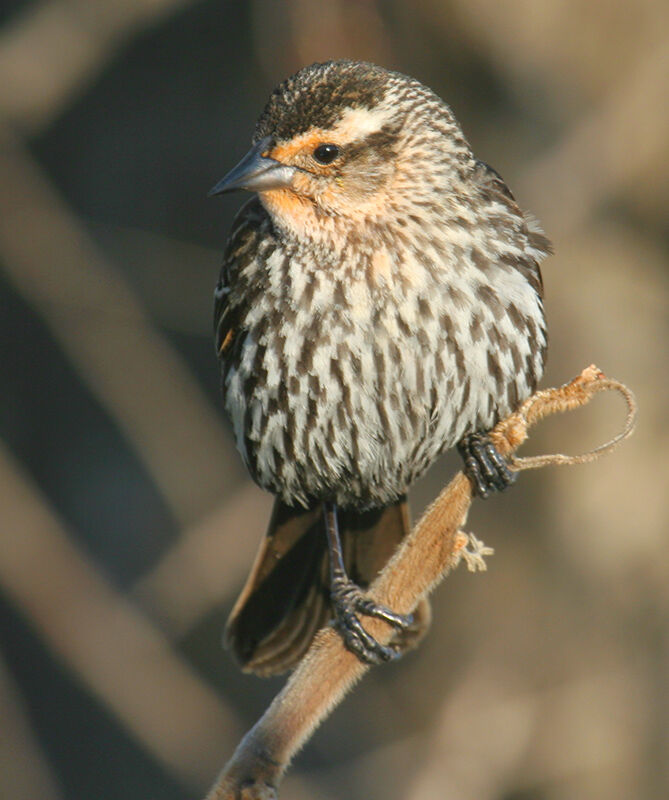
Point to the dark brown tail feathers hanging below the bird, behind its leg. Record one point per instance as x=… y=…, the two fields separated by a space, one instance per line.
x=286 y=598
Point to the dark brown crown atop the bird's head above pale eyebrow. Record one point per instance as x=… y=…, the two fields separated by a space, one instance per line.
x=317 y=95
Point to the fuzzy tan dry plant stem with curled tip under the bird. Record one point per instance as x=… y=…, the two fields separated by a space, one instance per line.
x=328 y=670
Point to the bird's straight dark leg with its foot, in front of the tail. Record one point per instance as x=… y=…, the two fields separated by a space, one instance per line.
x=348 y=600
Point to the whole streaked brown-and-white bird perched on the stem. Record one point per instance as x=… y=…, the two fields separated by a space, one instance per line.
x=380 y=301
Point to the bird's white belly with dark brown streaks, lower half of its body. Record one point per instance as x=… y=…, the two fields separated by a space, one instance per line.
x=357 y=416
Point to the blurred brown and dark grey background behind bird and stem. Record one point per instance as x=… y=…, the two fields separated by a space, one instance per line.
x=127 y=522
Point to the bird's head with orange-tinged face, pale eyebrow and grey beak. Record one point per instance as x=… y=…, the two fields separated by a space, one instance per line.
x=337 y=141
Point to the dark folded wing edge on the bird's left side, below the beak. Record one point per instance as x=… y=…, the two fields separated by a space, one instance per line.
x=250 y=229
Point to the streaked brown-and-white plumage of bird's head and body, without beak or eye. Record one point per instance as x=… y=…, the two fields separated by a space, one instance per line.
x=376 y=310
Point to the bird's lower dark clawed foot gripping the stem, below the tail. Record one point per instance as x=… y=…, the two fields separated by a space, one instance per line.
x=348 y=600
